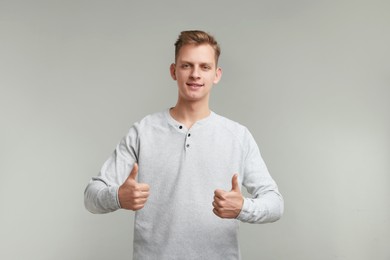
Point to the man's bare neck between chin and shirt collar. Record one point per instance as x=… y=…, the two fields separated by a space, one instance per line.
x=189 y=113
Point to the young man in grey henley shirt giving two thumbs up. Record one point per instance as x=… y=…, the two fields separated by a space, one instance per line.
x=182 y=169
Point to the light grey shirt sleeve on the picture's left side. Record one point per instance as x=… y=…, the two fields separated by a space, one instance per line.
x=101 y=193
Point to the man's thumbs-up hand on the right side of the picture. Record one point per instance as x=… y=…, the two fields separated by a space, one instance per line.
x=228 y=204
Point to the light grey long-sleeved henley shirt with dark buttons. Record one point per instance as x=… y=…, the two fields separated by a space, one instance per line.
x=183 y=168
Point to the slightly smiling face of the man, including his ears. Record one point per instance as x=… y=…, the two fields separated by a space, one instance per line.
x=195 y=72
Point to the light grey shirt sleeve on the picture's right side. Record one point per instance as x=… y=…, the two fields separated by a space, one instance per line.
x=266 y=204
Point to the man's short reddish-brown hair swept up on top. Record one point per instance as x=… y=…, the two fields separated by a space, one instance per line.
x=196 y=38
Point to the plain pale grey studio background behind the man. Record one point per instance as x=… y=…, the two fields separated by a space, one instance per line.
x=310 y=79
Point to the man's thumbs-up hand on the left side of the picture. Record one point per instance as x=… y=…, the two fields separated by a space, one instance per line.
x=133 y=195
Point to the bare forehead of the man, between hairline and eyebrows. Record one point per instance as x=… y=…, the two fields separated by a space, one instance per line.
x=203 y=53
